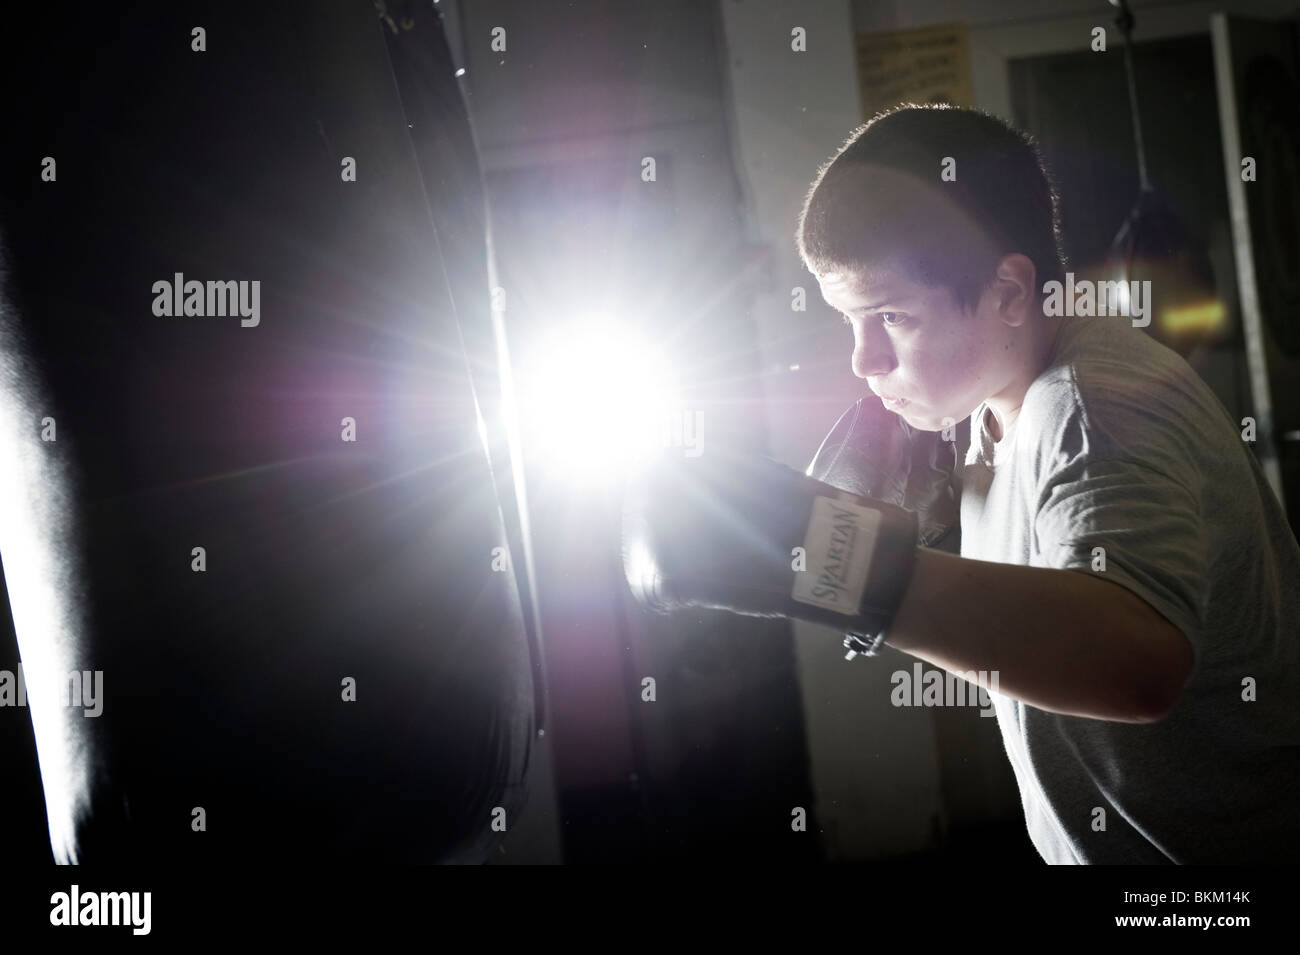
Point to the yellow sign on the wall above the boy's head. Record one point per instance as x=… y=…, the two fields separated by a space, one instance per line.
x=928 y=66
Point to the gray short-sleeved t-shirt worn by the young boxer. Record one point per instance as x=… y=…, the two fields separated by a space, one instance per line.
x=1120 y=445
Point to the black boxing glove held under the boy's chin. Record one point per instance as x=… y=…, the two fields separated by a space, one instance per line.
x=876 y=454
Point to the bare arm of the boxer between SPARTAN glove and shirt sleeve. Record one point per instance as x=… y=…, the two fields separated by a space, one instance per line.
x=1063 y=641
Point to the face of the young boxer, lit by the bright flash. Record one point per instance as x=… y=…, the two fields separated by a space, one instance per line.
x=917 y=345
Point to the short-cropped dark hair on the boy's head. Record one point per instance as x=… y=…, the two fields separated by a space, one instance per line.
x=881 y=202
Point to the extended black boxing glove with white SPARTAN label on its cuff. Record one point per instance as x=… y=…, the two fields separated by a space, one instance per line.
x=722 y=532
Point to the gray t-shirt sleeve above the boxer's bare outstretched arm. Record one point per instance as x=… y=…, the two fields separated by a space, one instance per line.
x=1146 y=522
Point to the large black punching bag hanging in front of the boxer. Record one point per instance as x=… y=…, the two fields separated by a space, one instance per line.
x=249 y=480
